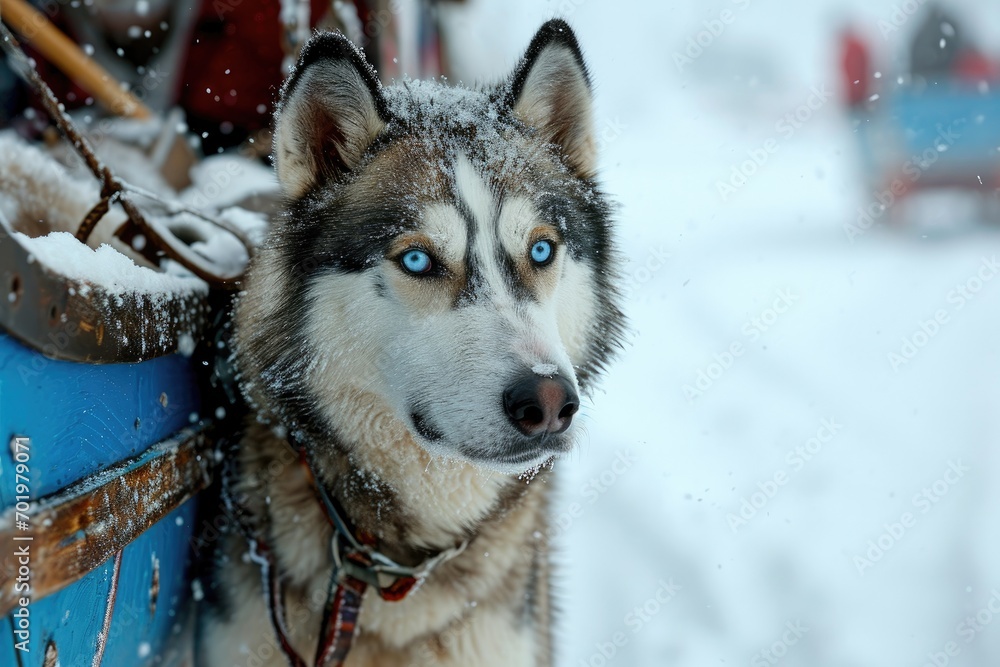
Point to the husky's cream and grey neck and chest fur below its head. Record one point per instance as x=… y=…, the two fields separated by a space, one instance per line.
x=488 y=606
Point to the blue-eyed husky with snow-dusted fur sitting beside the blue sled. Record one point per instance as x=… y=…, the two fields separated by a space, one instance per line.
x=436 y=295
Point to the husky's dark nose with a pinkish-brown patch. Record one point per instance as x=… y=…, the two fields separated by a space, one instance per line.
x=540 y=405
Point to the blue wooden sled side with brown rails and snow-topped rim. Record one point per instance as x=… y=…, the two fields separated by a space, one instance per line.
x=99 y=453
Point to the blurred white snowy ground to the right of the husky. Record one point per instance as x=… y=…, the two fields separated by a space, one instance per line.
x=658 y=567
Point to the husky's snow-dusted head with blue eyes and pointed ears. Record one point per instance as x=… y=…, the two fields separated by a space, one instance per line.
x=445 y=252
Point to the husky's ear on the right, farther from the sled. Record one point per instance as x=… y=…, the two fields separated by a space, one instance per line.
x=550 y=91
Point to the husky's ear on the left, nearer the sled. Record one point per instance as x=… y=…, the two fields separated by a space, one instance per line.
x=331 y=110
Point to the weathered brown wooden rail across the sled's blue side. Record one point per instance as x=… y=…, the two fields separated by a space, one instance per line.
x=78 y=529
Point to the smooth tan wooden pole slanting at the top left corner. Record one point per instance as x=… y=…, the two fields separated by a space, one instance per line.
x=62 y=52
